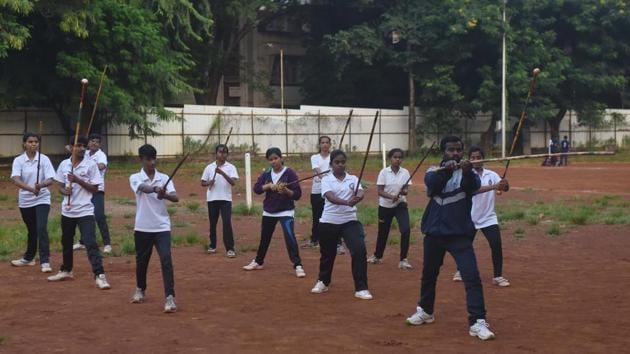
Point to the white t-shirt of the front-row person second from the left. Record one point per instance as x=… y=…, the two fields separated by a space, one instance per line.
x=81 y=201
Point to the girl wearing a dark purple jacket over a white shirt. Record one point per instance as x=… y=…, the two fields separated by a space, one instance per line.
x=281 y=192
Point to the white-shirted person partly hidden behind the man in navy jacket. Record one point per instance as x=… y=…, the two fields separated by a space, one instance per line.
x=483 y=215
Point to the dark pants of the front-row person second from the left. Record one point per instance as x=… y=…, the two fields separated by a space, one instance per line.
x=88 y=234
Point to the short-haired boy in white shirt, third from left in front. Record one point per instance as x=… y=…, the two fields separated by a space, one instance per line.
x=153 y=225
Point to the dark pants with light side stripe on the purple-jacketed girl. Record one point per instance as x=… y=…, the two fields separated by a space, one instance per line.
x=268 y=226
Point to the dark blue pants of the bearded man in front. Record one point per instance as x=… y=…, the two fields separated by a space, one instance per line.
x=460 y=247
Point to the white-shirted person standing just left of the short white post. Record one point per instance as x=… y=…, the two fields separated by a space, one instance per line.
x=219 y=177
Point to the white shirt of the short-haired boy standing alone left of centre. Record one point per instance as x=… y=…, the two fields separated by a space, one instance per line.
x=151 y=213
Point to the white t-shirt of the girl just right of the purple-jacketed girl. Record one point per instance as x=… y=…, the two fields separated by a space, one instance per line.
x=344 y=189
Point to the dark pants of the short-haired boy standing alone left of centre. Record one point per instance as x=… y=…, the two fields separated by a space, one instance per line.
x=144 y=242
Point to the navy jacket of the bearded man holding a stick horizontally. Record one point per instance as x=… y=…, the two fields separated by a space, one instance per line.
x=450 y=193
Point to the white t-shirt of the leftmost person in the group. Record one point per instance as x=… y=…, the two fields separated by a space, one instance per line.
x=27 y=170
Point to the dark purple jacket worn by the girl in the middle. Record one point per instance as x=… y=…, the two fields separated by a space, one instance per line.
x=275 y=202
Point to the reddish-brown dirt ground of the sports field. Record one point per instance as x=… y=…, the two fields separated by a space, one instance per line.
x=568 y=293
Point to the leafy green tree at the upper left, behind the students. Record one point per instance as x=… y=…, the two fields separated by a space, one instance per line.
x=78 y=40
